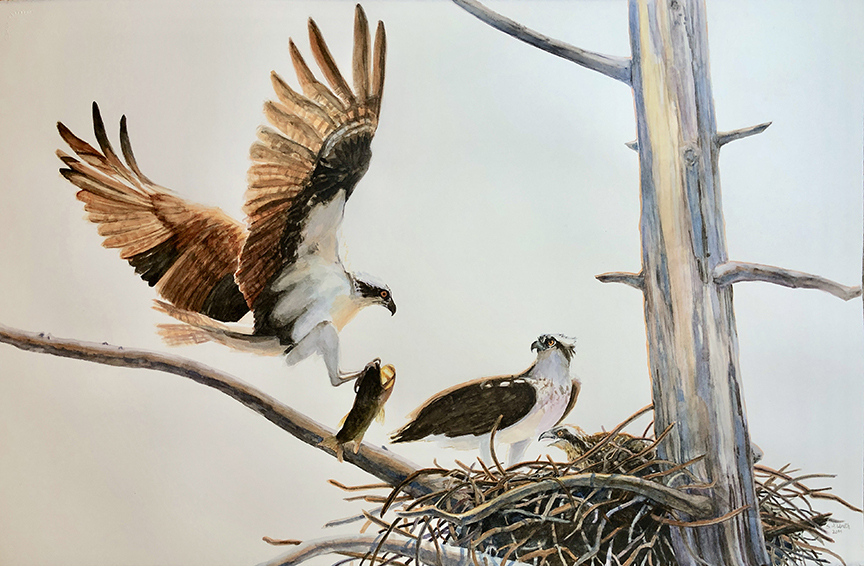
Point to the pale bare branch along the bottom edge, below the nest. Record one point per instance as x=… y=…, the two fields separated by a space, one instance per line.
x=395 y=544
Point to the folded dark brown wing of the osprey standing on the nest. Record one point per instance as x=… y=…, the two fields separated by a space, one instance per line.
x=471 y=408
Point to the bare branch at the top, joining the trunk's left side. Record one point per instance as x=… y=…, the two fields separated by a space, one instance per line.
x=617 y=68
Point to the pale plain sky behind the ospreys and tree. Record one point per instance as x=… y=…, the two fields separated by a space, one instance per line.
x=500 y=185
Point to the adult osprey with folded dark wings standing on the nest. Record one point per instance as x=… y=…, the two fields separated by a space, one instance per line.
x=527 y=404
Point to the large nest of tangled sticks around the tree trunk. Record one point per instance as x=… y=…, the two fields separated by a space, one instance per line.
x=534 y=513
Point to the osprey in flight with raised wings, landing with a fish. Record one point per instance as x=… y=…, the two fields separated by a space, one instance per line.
x=283 y=264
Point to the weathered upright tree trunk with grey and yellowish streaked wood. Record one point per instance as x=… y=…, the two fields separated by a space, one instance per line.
x=692 y=340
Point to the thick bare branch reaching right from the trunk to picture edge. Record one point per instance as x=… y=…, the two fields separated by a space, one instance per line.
x=736 y=271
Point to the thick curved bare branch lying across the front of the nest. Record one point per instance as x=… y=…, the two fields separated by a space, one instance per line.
x=694 y=505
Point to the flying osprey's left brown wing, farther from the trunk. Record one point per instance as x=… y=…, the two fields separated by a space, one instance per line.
x=188 y=252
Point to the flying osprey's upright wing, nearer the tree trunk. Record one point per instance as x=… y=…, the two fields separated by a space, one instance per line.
x=306 y=165
